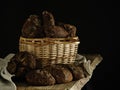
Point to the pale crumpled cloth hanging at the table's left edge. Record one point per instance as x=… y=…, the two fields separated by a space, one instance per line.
x=6 y=82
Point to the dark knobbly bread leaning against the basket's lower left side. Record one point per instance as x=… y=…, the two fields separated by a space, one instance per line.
x=21 y=63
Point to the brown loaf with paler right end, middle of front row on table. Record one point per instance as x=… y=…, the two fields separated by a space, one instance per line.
x=60 y=73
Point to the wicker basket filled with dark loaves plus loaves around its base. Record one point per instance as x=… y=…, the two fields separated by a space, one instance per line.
x=47 y=52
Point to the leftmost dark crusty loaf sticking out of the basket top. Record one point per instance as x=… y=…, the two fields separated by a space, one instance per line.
x=32 y=27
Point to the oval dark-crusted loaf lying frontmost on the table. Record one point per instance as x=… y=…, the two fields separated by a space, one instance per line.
x=40 y=77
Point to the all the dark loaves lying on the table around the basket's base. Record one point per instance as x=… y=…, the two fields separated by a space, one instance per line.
x=27 y=68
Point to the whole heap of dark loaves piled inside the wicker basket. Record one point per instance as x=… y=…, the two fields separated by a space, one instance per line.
x=46 y=27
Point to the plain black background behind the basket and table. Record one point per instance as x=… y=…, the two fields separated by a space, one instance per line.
x=94 y=28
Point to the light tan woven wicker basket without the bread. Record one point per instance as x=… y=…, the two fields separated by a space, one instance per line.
x=51 y=50
